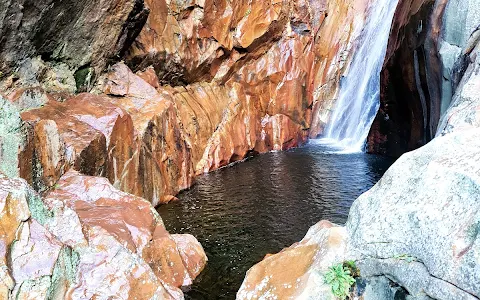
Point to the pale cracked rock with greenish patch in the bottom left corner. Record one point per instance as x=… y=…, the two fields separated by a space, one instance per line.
x=28 y=253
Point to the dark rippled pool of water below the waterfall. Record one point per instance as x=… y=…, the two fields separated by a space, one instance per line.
x=263 y=205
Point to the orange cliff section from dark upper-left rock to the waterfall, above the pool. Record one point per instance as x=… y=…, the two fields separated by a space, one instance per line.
x=276 y=63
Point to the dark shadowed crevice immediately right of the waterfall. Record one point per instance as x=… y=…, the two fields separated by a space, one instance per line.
x=410 y=82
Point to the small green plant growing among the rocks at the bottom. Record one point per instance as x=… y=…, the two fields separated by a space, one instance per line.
x=340 y=280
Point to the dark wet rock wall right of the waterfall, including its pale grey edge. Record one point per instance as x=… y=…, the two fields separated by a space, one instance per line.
x=429 y=51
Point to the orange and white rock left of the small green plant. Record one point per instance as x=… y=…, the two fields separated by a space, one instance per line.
x=297 y=272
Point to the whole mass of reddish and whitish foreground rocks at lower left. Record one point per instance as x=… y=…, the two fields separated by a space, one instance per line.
x=86 y=239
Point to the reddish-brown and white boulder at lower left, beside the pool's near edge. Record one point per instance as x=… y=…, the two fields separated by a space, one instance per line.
x=109 y=221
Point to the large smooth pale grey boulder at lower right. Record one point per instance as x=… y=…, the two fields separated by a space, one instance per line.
x=426 y=209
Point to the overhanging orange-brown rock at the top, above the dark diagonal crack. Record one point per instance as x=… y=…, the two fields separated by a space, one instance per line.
x=187 y=41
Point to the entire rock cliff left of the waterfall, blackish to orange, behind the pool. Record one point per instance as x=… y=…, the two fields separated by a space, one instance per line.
x=150 y=94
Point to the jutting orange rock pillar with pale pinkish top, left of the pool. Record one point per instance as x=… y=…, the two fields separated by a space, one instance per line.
x=162 y=157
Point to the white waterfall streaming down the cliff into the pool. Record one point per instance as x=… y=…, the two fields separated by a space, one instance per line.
x=359 y=97
